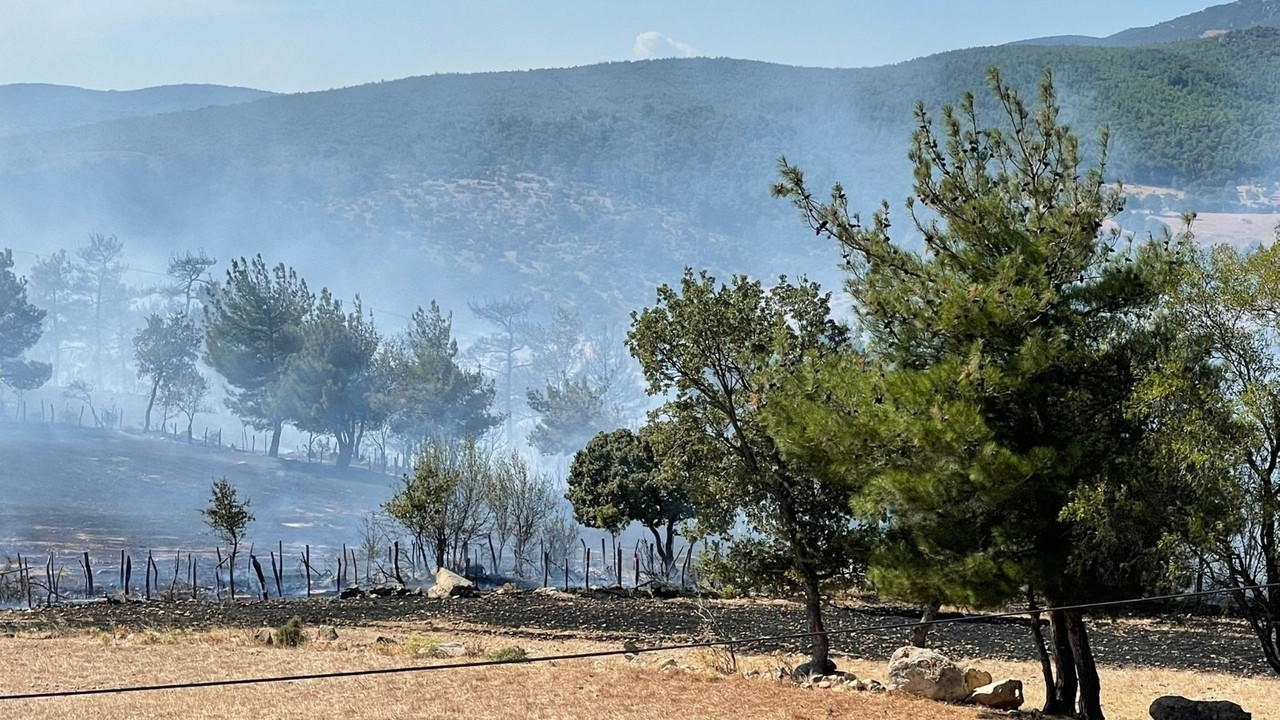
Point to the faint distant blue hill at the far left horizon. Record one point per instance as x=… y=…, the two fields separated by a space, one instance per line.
x=38 y=108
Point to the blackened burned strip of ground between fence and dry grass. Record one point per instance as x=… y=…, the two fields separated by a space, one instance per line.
x=1181 y=642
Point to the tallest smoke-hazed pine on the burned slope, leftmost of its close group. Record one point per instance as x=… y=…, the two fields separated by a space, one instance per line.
x=253 y=327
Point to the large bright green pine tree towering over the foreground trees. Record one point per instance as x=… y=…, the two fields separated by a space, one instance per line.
x=1017 y=455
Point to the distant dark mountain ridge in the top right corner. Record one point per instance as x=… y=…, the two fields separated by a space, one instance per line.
x=1217 y=20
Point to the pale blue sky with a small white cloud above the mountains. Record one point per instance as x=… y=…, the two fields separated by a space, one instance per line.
x=314 y=45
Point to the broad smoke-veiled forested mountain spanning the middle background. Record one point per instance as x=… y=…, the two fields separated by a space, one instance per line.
x=592 y=184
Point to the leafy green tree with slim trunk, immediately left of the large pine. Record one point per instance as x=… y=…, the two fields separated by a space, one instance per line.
x=719 y=352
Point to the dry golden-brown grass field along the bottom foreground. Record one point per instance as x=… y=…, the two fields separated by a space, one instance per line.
x=611 y=687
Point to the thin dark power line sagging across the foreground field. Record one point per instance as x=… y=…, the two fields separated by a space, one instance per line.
x=339 y=675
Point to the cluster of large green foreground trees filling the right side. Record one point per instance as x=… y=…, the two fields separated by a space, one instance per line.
x=1030 y=407
